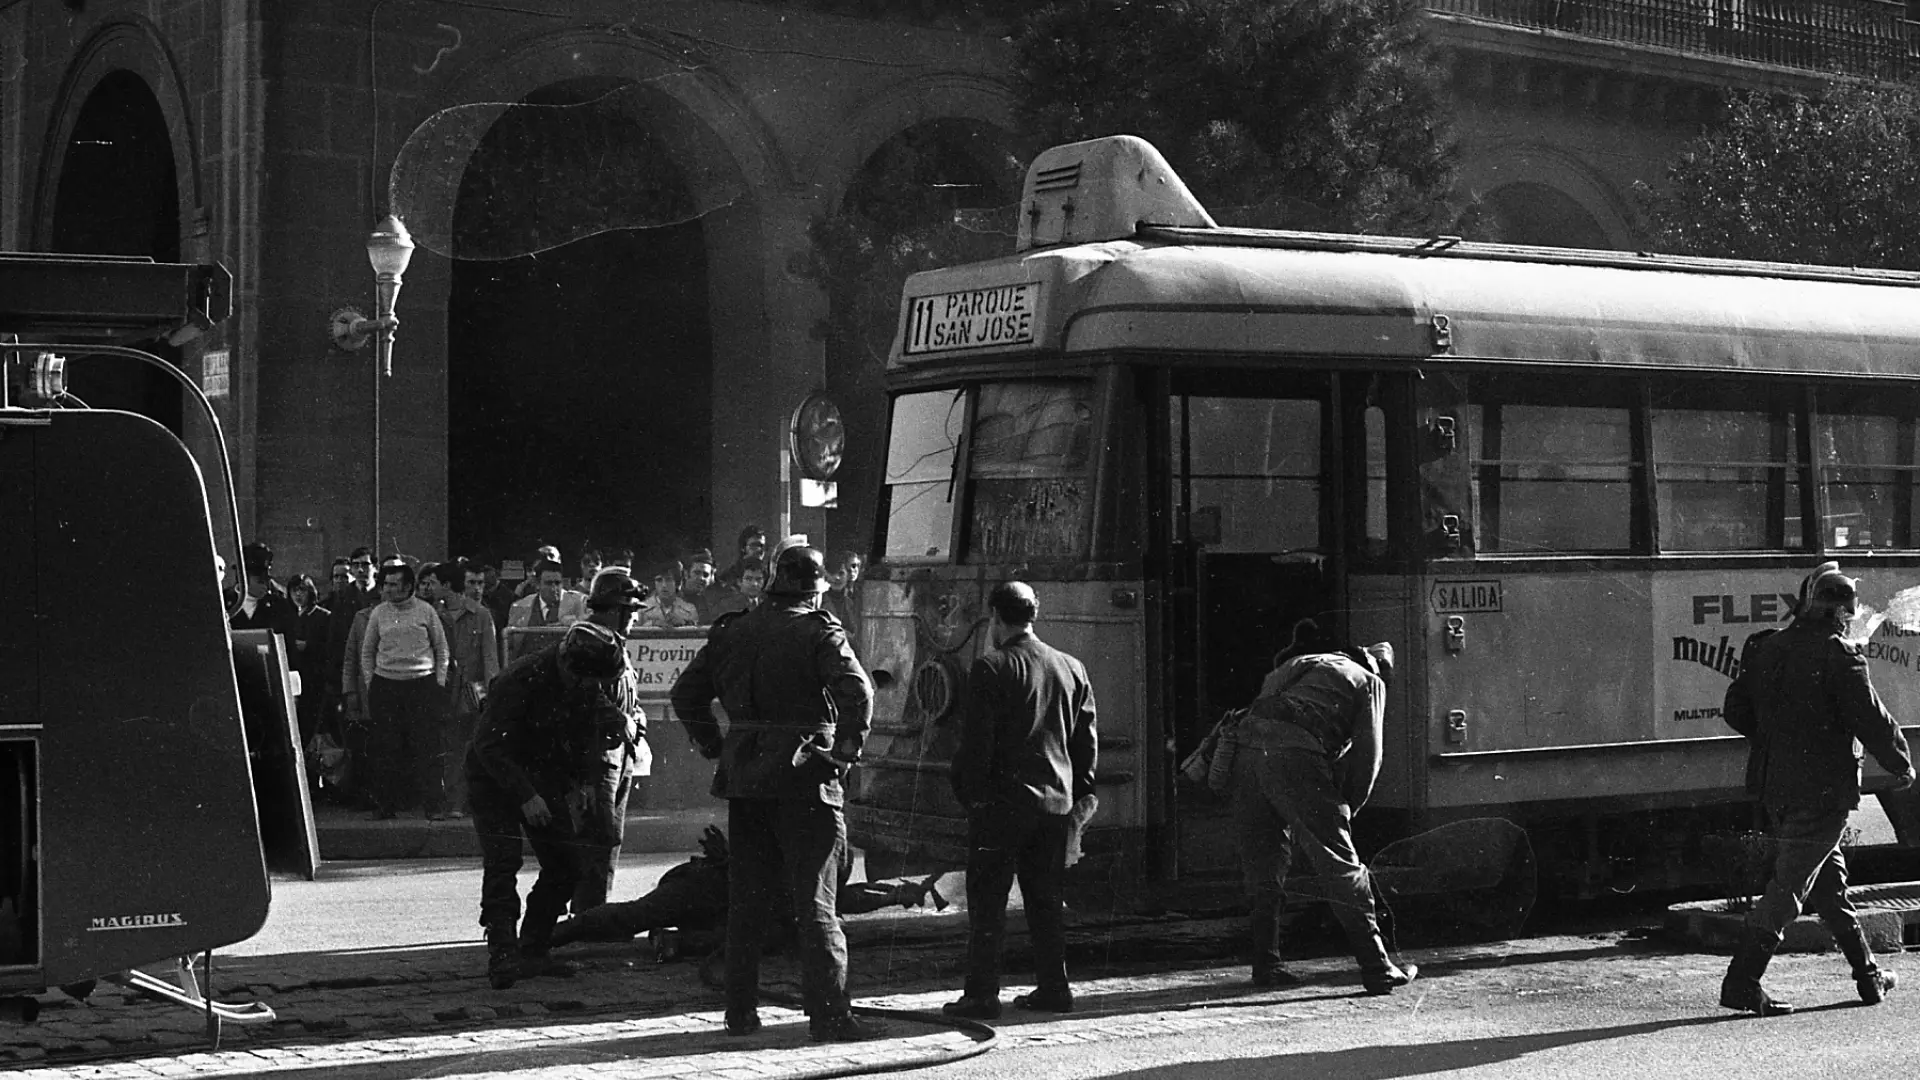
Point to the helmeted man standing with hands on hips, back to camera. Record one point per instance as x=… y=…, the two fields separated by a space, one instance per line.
x=792 y=691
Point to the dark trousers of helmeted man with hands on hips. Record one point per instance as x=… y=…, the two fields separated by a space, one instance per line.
x=805 y=843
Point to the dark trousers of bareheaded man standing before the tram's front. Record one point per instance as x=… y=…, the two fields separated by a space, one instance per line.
x=1005 y=843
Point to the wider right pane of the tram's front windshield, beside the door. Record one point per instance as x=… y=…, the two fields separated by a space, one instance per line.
x=1032 y=472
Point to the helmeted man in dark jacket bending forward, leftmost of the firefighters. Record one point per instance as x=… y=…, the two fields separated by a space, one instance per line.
x=535 y=766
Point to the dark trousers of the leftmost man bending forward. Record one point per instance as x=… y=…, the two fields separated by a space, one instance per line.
x=498 y=822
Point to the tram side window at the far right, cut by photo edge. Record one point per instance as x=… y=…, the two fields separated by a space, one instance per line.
x=1869 y=468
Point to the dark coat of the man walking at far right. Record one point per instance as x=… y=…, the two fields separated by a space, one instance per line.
x=1808 y=706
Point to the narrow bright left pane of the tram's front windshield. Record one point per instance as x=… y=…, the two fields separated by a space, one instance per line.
x=921 y=474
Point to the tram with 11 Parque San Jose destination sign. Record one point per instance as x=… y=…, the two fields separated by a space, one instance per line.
x=1566 y=485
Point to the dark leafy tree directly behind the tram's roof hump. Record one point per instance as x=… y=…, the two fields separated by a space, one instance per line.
x=1320 y=114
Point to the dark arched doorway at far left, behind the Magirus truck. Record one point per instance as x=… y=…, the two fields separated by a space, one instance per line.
x=120 y=197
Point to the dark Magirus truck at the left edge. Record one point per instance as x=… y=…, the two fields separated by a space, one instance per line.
x=128 y=816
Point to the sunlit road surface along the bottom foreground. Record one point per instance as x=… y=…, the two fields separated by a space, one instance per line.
x=1539 y=1010
